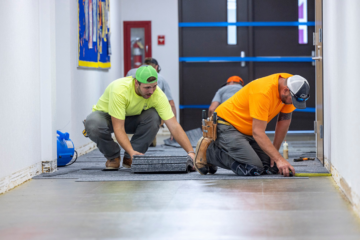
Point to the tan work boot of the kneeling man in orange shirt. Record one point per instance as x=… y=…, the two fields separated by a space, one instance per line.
x=201 y=164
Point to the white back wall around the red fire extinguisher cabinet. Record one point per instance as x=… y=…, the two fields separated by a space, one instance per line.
x=163 y=15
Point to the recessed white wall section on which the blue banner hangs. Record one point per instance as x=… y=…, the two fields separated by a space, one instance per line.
x=79 y=89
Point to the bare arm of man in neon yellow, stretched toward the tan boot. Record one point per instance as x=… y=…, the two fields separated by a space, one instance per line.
x=179 y=135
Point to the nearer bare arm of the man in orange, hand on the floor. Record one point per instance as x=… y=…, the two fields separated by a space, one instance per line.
x=265 y=144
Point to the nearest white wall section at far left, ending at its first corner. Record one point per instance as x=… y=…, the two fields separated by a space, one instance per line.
x=19 y=85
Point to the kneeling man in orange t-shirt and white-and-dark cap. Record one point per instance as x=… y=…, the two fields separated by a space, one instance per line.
x=241 y=143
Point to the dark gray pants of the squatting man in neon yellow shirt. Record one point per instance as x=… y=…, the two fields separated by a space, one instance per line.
x=145 y=126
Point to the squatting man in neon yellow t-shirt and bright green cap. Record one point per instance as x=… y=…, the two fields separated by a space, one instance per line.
x=134 y=106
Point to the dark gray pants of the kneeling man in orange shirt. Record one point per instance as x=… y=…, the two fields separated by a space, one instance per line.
x=238 y=152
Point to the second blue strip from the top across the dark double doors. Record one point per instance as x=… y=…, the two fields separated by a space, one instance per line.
x=246 y=59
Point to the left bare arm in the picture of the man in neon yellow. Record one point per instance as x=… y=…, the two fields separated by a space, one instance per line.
x=121 y=137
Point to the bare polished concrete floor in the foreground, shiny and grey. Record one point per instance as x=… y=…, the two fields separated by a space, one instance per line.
x=224 y=209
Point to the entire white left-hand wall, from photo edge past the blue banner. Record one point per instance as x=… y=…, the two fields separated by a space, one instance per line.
x=41 y=88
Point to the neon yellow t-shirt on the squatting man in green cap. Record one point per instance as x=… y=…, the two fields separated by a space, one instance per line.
x=120 y=100
